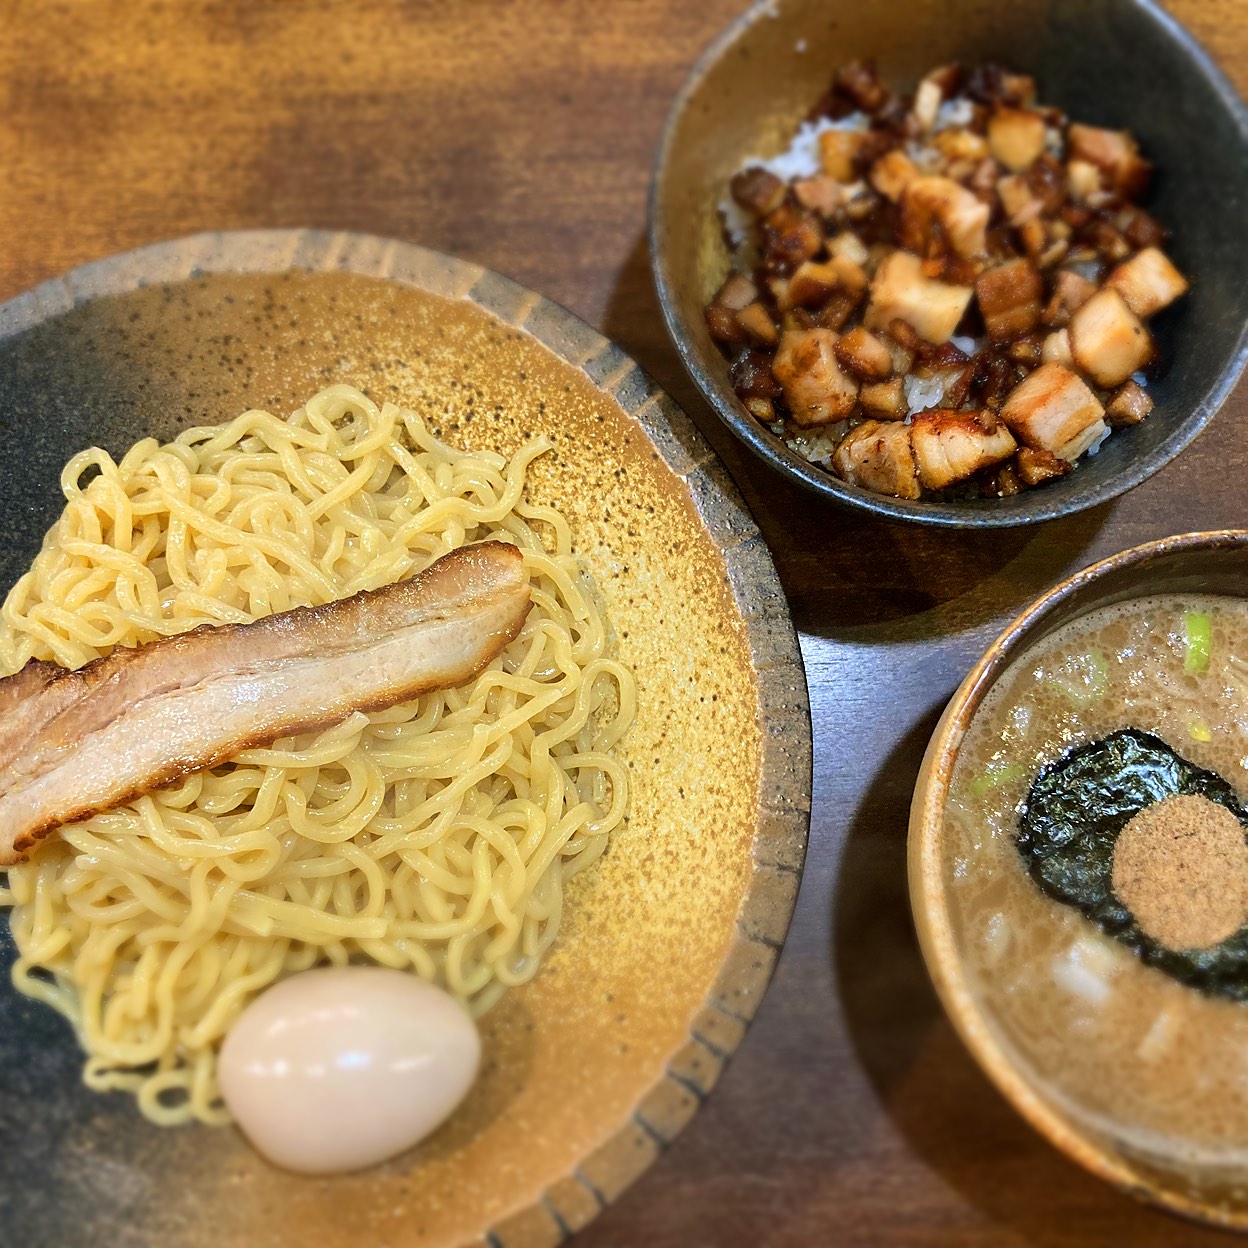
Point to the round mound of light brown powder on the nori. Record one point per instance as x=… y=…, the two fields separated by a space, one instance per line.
x=1182 y=868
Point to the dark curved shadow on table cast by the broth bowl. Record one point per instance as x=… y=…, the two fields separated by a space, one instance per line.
x=927 y=1081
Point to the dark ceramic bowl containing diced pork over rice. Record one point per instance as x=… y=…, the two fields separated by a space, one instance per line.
x=1113 y=63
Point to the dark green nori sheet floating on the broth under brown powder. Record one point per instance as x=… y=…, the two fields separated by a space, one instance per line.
x=1073 y=817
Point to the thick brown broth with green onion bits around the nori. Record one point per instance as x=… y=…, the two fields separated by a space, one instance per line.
x=1116 y=1045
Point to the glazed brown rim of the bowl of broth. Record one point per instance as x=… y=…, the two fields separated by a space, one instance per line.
x=928 y=885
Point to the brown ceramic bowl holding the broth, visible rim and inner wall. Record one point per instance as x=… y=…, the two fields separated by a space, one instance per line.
x=1192 y=563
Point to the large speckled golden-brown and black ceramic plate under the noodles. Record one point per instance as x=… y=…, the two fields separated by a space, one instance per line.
x=668 y=943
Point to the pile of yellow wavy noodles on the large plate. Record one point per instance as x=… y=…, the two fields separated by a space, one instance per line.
x=435 y=837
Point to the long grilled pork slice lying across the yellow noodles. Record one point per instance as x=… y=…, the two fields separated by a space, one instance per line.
x=78 y=743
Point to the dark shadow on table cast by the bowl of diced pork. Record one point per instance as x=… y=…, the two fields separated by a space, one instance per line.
x=846 y=573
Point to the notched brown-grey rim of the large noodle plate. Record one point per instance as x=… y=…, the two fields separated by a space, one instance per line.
x=782 y=826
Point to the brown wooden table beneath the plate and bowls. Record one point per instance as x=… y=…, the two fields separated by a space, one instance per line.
x=520 y=135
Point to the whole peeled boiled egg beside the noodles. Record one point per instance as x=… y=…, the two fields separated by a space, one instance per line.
x=341 y=1068
